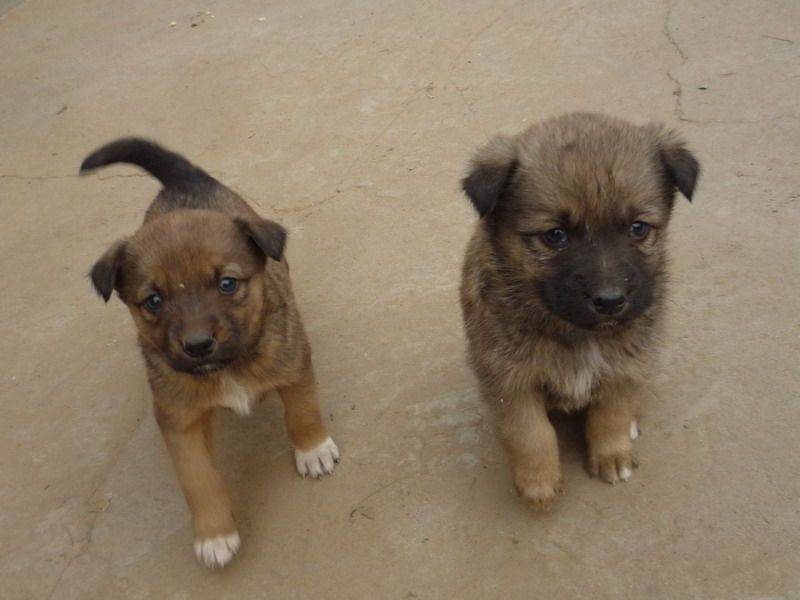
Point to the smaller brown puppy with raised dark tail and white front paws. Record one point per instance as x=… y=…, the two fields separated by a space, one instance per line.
x=208 y=288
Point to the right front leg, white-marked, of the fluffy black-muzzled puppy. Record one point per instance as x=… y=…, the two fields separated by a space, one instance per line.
x=611 y=427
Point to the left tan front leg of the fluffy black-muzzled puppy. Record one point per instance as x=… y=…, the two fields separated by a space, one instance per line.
x=532 y=447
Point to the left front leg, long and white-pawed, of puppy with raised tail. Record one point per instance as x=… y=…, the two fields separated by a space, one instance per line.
x=216 y=538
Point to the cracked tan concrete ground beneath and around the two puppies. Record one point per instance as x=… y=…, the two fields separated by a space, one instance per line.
x=351 y=123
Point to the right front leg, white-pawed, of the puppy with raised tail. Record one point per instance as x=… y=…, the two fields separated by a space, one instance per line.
x=315 y=453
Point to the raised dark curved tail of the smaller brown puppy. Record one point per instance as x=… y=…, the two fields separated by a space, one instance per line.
x=171 y=169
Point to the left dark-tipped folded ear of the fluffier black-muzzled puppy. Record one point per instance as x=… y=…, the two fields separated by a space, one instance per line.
x=490 y=172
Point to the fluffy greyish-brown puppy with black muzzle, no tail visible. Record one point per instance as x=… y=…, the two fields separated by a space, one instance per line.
x=563 y=284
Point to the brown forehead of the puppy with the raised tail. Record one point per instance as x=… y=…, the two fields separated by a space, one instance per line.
x=190 y=247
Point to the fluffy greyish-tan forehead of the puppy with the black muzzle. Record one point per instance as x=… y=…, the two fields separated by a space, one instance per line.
x=589 y=172
